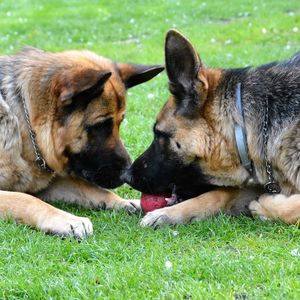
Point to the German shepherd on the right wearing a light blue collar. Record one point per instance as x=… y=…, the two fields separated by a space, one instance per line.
x=195 y=150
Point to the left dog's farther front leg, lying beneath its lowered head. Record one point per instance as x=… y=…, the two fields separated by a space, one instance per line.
x=78 y=191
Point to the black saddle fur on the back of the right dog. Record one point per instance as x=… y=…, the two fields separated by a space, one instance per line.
x=278 y=82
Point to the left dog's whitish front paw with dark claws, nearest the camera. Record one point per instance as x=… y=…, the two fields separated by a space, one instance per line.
x=68 y=225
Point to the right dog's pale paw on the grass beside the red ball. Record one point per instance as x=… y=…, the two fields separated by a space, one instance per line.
x=158 y=218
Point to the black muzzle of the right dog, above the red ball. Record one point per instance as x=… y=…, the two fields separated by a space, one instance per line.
x=157 y=170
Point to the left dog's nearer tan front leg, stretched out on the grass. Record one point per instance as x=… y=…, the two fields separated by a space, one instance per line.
x=32 y=211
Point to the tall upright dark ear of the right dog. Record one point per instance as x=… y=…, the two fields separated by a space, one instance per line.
x=182 y=66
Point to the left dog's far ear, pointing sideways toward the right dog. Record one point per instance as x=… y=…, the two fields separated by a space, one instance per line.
x=133 y=74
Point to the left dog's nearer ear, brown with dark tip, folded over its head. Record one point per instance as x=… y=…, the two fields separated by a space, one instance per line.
x=81 y=85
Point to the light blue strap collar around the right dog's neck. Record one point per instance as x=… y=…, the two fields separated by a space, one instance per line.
x=240 y=133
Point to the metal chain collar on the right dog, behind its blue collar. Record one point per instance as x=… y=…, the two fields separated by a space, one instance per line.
x=272 y=186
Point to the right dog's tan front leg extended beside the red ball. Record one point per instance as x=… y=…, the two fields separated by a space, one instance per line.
x=200 y=207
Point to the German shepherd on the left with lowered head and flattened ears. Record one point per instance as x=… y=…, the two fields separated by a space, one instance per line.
x=59 y=135
